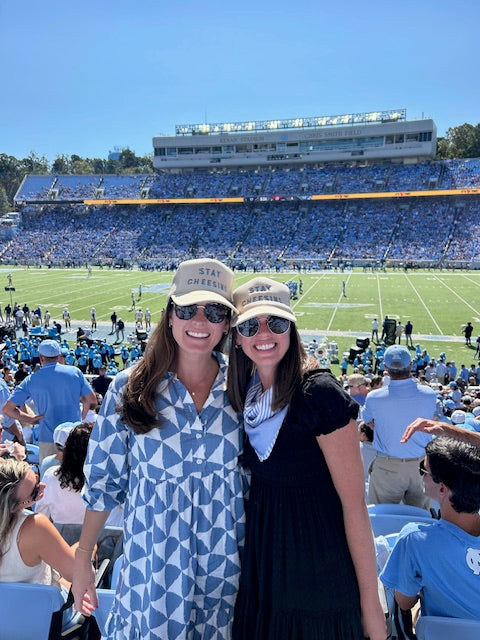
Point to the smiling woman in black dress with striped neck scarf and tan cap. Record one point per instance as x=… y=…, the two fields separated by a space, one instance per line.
x=308 y=570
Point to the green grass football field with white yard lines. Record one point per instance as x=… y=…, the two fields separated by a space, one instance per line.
x=437 y=303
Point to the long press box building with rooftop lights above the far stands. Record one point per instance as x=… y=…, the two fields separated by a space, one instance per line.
x=359 y=138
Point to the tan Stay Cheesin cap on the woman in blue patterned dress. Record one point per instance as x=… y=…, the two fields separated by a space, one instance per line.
x=202 y=280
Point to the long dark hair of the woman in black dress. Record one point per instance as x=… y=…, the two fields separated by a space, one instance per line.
x=288 y=374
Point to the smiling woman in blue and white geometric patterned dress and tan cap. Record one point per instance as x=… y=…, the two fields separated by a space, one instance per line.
x=166 y=445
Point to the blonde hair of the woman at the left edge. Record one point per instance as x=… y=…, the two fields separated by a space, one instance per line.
x=12 y=472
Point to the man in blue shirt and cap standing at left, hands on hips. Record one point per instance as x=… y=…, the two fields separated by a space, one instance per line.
x=57 y=391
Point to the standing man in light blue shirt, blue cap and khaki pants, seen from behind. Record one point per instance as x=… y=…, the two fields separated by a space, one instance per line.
x=394 y=476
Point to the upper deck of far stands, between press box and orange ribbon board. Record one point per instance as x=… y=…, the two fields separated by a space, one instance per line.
x=239 y=185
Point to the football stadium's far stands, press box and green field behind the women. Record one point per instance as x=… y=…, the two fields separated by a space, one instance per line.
x=355 y=198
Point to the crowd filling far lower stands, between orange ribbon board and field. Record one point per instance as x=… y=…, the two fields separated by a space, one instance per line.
x=437 y=230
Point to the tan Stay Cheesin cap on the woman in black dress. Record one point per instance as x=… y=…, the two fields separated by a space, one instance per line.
x=262 y=296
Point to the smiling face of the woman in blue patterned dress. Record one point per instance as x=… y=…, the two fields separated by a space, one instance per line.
x=197 y=335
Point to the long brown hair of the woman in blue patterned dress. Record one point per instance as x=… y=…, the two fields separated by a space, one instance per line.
x=138 y=409
